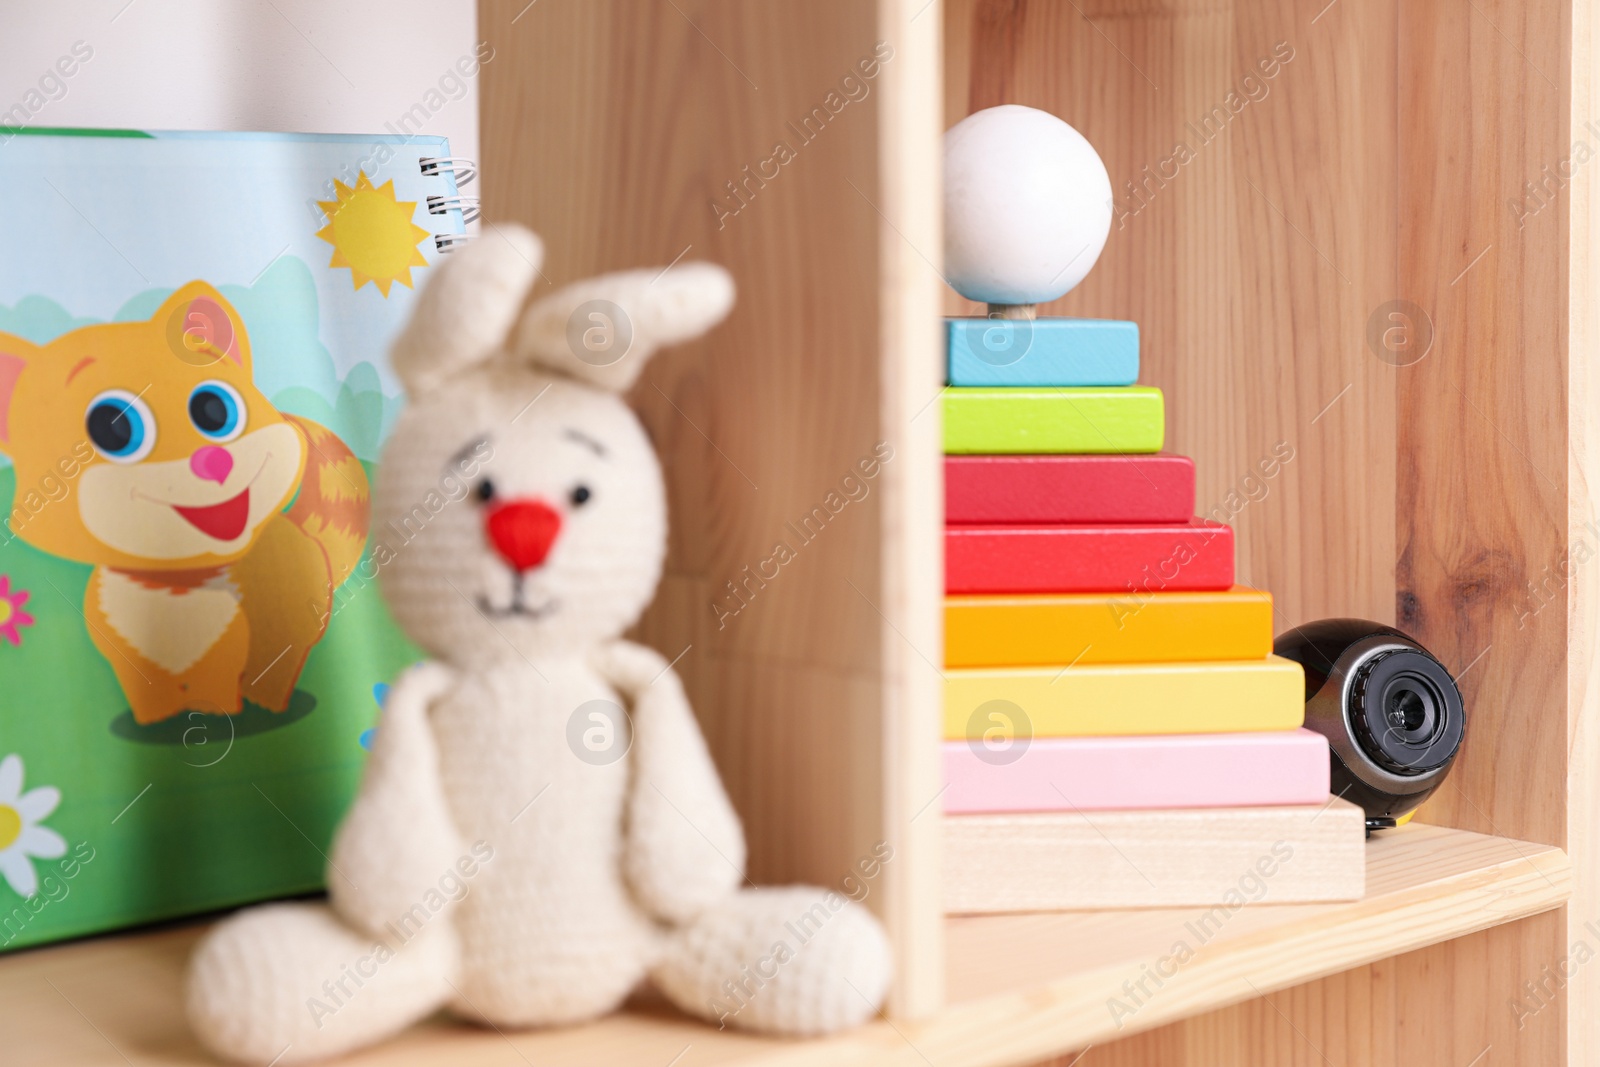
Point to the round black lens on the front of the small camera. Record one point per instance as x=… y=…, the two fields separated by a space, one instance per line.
x=1406 y=713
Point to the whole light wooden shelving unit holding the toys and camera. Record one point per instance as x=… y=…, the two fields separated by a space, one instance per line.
x=1378 y=170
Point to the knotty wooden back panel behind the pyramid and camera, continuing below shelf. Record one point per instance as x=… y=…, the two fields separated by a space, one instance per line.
x=1378 y=166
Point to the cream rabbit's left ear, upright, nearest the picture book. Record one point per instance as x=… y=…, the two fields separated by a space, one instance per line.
x=468 y=308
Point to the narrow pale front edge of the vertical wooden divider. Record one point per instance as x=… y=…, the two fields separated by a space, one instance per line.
x=911 y=124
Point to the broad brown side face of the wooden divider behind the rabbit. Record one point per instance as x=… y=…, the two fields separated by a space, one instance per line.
x=612 y=129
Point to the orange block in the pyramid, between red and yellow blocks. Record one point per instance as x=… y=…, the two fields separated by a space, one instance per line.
x=1106 y=628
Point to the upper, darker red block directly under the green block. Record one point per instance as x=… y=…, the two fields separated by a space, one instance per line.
x=1070 y=489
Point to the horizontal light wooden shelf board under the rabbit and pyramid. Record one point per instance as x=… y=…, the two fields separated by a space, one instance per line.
x=1022 y=988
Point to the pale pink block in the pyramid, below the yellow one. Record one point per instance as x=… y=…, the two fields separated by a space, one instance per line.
x=1138 y=773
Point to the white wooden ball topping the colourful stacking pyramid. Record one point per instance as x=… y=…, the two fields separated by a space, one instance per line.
x=1026 y=206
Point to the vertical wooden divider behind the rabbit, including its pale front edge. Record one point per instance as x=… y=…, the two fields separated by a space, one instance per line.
x=802 y=577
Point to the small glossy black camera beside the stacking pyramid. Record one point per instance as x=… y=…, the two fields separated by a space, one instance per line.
x=1391 y=713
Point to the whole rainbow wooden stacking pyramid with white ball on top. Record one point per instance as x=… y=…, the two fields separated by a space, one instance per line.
x=1100 y=653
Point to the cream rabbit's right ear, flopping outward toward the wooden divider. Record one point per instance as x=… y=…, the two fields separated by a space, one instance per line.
x=604 y=330
